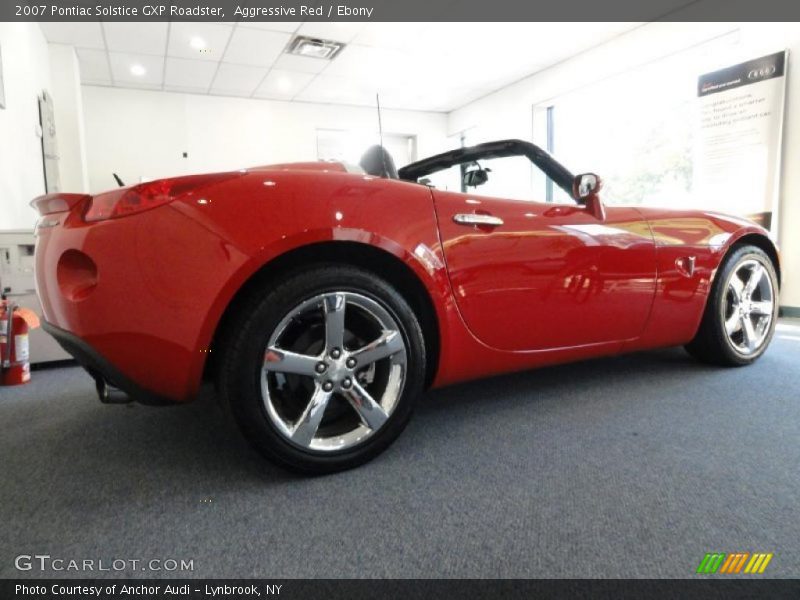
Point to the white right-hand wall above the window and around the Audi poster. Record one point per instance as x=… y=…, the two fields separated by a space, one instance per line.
x=508 y=112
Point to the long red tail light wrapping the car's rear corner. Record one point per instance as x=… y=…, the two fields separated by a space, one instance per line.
x=145 y=196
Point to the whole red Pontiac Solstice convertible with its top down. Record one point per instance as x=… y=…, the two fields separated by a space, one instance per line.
x=323 y=298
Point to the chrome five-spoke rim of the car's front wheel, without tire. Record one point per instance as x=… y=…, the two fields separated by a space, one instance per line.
x=749 y=306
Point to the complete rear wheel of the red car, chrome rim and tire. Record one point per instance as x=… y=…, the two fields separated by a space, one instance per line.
x=322 y=370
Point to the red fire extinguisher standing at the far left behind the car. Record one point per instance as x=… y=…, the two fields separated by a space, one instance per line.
x=15 y=325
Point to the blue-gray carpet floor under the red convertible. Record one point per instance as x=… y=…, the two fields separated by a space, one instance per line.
x=633 y=466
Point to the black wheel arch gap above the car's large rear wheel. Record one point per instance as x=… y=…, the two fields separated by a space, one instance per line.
x=367 y=256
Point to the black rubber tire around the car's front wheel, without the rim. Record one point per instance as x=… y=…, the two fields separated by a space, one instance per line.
x=712 y=344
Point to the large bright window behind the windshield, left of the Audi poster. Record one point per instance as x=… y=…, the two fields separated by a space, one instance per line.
x=635 y=130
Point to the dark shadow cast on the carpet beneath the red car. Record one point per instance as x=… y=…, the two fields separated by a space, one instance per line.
x=181 y=444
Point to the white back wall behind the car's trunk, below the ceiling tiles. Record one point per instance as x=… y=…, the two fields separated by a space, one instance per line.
x=138 y=133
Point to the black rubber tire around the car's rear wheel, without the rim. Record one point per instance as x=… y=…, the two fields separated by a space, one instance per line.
x=239 y=375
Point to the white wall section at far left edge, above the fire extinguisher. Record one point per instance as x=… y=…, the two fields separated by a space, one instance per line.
x=26 y=72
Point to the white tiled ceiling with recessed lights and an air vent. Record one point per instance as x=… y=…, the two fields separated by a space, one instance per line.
x=419 y=66
